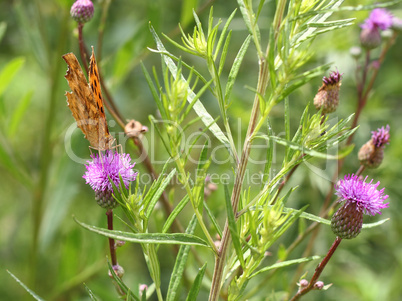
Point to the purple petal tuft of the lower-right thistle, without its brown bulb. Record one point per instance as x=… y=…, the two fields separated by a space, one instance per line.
x=365 y=196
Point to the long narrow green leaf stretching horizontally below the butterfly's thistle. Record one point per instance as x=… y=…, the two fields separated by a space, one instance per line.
x=147 y=238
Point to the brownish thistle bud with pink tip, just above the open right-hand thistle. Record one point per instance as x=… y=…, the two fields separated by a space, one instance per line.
x=371 y=154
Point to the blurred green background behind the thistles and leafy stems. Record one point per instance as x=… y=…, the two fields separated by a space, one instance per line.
x=41 y=187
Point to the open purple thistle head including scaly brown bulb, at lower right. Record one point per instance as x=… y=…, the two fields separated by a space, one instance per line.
x=358 y=198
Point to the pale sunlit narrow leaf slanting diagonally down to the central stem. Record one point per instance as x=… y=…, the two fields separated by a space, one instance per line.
x=198 y=106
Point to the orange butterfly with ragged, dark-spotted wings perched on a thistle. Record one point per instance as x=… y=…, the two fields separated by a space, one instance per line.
x=86 y=103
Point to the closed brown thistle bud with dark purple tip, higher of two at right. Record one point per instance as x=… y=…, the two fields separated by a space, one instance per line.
x=327 y=96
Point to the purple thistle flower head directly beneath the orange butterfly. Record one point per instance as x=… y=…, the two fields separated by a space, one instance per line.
x=104 y=166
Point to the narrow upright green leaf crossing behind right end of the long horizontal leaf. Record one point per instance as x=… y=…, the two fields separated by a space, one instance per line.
x=181 y=261
